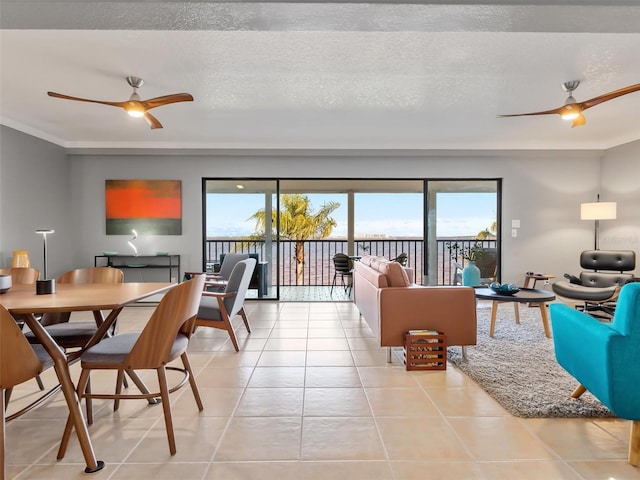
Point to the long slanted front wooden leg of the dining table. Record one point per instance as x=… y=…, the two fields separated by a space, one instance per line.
x=68 y=389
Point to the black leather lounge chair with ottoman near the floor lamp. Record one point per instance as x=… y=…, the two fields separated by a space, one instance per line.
x=595 y=291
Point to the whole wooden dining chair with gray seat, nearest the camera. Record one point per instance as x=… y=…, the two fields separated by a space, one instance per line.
x=164 y=338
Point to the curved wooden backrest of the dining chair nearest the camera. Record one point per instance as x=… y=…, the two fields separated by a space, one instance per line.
x=175 y=314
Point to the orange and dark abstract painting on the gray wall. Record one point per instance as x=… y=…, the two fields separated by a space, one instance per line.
x=152 y=207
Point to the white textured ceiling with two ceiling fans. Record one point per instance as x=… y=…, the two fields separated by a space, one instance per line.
x=321 y=75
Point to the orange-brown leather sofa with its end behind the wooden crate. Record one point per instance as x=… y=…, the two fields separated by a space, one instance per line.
x=392 y=305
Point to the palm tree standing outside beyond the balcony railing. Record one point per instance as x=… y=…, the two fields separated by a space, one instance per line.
x=298 y=222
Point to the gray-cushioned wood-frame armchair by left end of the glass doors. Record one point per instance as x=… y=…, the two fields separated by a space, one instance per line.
x=218 y=308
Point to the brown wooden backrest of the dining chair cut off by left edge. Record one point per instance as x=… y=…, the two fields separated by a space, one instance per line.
x=18 y=361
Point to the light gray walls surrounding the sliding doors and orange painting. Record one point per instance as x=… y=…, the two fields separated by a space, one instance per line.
x=542 y=189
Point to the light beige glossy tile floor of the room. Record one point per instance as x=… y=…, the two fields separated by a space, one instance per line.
x=310 y=396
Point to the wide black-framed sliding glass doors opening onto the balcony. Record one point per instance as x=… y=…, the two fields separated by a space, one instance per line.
x=295 y=227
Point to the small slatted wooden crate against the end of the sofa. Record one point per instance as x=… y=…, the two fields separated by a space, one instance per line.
x=425 y=350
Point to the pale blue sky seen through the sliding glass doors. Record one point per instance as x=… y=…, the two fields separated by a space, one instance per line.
x=396 y=215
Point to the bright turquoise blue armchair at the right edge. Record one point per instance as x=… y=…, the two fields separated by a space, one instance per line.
x=604 y=357
